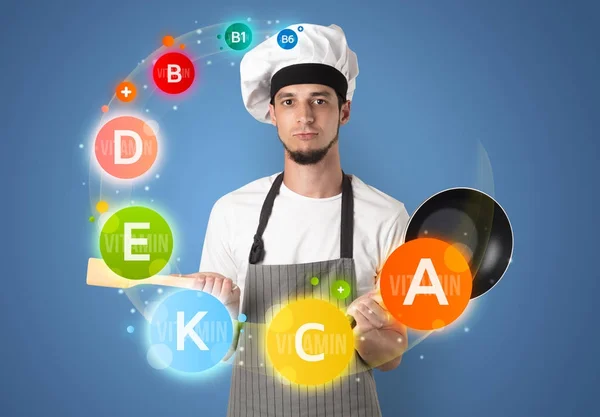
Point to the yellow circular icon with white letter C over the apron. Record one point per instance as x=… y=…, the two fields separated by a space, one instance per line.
x=310 y=342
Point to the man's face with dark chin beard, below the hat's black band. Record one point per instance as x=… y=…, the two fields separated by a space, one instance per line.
x=308 y=117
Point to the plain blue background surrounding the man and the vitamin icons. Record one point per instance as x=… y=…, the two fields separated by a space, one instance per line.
x=522 y=79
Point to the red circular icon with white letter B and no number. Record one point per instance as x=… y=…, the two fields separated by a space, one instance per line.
x=173 y=73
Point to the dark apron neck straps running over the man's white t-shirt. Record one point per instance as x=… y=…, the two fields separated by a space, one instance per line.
x=257 y=252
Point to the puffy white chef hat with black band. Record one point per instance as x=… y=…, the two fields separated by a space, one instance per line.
x=320 y=56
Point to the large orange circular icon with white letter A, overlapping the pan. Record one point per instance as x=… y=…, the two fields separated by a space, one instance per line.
x=426 y=283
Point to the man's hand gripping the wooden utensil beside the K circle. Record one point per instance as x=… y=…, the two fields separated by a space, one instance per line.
x=219 y=286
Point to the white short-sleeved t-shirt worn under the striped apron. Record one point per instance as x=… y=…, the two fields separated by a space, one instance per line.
x=302 y=230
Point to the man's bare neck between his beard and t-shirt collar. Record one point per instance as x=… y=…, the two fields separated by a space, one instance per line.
x=321 y=180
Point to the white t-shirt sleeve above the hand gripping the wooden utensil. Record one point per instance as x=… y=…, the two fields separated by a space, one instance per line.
x=217 y=255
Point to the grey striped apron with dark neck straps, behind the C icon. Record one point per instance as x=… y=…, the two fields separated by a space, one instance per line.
x=257 y=390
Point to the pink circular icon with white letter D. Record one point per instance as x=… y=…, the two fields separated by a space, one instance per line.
x=126 y=147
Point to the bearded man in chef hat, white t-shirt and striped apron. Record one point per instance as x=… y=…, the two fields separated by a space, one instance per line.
x=271 y=235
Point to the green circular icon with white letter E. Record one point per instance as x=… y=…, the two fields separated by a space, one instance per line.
x=136 y=242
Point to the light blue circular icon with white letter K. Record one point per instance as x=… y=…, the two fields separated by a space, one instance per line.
x=192 y=333
